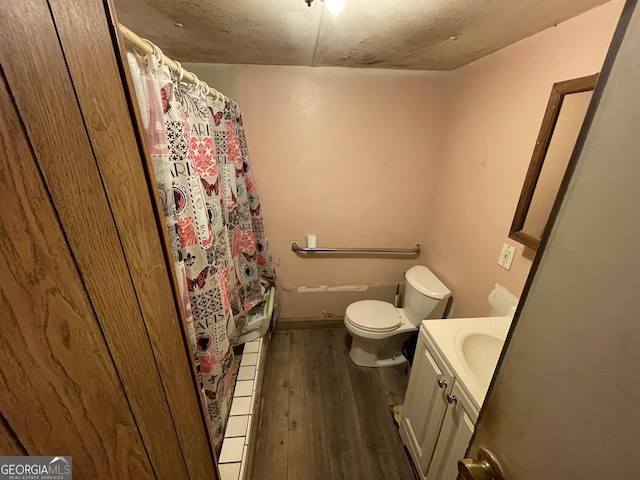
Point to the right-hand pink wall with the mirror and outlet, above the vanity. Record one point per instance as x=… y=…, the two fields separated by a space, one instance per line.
x=494 y=110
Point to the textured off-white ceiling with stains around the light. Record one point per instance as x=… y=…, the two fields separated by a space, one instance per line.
x=411 y=34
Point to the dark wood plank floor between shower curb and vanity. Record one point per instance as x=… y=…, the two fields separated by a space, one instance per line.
x=322 y=417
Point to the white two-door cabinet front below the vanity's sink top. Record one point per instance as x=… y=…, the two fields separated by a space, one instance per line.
x=437 y=418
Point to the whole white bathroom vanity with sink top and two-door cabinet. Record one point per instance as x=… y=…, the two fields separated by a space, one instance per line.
x=452 y=368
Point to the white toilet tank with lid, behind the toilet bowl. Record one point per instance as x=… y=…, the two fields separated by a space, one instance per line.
x=423 y=293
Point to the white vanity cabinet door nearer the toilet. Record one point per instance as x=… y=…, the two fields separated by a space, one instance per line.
x=425 y=404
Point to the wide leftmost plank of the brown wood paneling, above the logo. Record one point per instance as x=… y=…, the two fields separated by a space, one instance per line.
x=61 y=391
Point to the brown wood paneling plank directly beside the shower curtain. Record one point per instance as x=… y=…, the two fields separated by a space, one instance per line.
x=87 y=40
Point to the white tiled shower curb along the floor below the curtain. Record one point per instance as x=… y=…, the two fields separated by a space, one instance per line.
x=232 y=461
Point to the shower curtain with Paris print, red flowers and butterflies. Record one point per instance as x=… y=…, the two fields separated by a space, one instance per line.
x=212 y=211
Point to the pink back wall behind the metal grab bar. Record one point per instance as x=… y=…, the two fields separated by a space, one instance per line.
x=347 y=154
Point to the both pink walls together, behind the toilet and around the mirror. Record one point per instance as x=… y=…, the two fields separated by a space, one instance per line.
x=366 y=158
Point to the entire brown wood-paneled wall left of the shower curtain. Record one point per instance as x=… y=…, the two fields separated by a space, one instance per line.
x=95 y=362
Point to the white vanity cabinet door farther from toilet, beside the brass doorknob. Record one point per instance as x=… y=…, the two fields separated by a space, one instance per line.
x=454 y=437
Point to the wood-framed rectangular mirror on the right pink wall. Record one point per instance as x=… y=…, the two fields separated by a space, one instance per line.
x=561 y=124
